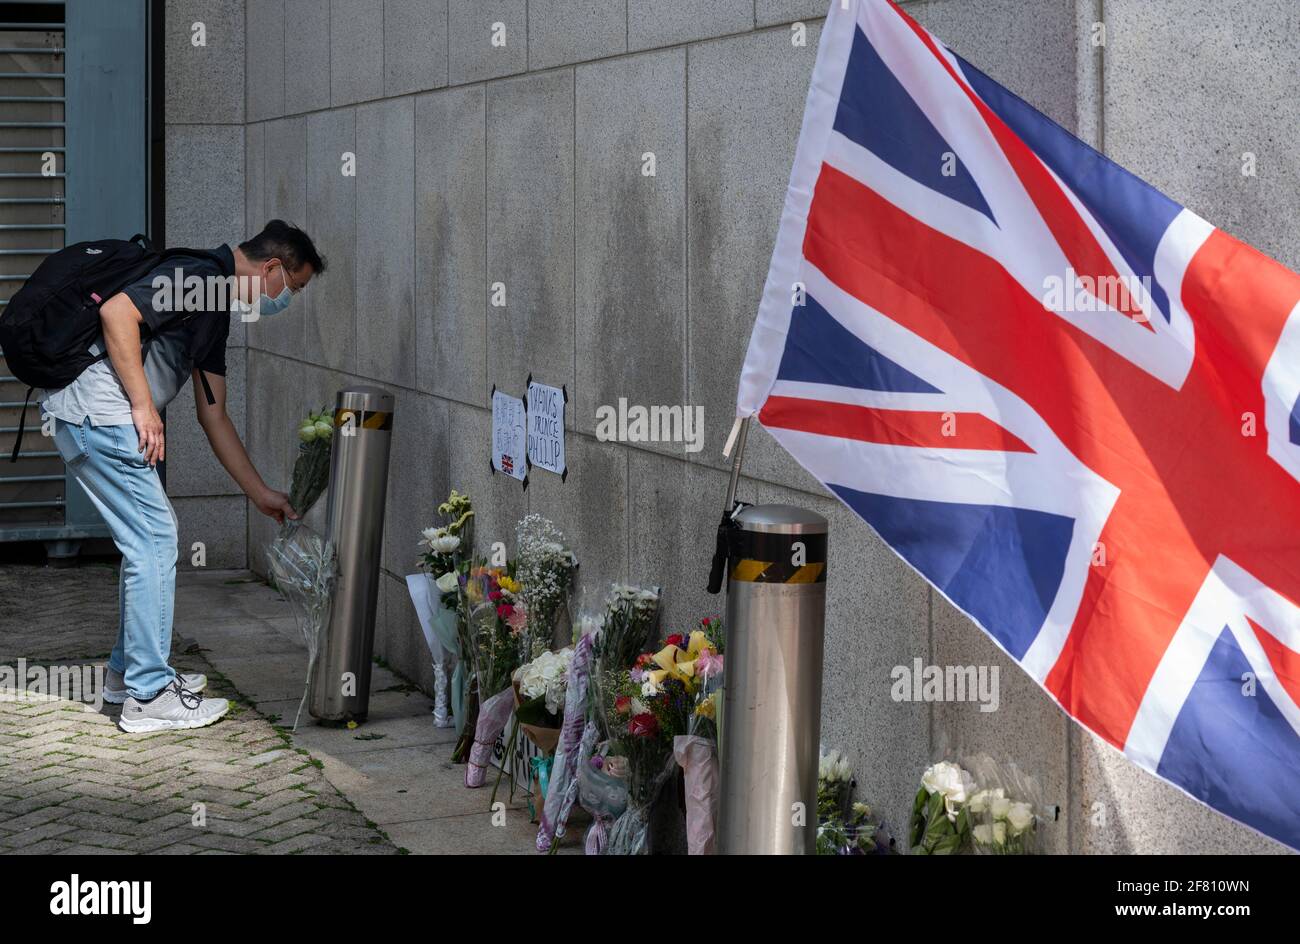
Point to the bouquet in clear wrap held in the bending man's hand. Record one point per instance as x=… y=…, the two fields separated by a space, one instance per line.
x=301 y=564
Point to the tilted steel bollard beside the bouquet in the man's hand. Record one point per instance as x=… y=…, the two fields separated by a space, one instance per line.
x=358 y=487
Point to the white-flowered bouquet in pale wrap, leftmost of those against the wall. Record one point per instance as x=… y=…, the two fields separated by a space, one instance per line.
x=445 y=560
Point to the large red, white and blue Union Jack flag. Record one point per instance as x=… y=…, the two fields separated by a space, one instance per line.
x=1067 y=401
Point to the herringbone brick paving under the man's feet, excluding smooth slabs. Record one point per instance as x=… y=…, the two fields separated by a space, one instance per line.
x=72 y=782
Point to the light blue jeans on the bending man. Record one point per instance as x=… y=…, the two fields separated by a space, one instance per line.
x=129 y=496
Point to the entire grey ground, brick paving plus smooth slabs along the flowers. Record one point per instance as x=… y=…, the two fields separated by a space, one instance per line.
x=71 y=782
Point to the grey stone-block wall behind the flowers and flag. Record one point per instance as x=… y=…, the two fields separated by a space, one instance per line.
x=504 y=141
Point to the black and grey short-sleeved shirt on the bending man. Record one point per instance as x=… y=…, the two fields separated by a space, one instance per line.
x=185 y=304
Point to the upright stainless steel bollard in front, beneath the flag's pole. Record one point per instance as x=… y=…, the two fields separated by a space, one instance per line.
x=773 y=701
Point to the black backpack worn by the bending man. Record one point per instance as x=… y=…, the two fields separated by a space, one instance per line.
x=51 y=323
